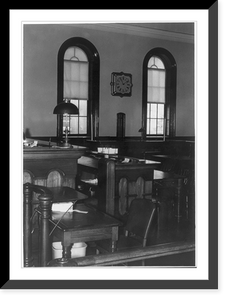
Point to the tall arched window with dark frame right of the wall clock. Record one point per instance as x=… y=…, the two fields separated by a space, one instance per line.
x=159 y=93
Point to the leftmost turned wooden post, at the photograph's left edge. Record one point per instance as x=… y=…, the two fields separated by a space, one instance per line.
x=27 y=235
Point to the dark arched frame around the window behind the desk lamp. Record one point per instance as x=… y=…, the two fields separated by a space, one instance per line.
x=93 y=89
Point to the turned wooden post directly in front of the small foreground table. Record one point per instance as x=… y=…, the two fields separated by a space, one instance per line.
x=45 y=247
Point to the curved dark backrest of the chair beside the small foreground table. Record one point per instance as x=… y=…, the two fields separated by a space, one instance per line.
x=140 y=216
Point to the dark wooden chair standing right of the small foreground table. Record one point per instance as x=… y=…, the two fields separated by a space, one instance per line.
x=141 y=213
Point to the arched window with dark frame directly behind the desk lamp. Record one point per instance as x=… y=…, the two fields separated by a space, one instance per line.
x=78 y=81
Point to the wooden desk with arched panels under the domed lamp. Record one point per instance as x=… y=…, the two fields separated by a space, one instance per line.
x=49 y=165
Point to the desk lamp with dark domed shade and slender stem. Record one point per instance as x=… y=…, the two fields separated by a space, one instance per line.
x=66 y=108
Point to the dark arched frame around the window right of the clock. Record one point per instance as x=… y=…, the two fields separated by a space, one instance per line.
x=170 y=92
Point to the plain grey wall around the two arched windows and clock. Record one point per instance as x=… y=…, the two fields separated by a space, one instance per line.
x=118 y=52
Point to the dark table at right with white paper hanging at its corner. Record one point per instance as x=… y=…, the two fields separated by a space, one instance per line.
x=170 y=180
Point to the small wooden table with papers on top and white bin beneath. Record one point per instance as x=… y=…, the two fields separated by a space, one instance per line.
x=83 y=227
